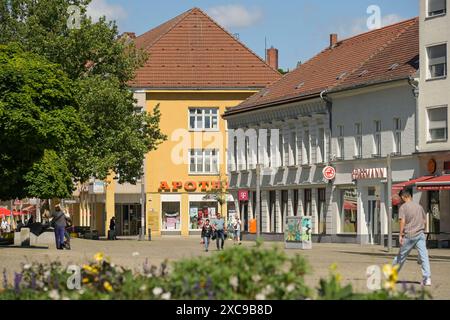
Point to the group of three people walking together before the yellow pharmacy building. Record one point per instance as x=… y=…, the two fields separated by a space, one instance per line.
x=217 y=230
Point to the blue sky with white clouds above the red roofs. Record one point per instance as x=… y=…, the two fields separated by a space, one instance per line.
x=298 y=28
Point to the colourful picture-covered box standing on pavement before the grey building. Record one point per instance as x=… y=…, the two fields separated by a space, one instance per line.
x=298 y=234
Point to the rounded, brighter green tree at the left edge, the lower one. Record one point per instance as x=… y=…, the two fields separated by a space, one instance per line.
x=39 y=121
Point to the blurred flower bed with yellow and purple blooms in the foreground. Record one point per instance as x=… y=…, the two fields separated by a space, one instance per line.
x=235 y=274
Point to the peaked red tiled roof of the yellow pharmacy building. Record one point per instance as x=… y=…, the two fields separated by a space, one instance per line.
x=193 y=51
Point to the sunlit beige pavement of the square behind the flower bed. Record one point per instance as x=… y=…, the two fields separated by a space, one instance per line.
x=352 y=260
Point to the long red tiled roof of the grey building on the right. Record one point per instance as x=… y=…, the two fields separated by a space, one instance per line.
x=361 y=60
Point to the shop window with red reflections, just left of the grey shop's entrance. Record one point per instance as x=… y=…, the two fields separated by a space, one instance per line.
x=349 y=211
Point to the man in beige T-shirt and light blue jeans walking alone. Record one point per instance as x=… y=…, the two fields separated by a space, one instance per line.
x=412 y=235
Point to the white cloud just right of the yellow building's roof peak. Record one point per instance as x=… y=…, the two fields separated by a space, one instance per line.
x=235 y=15
